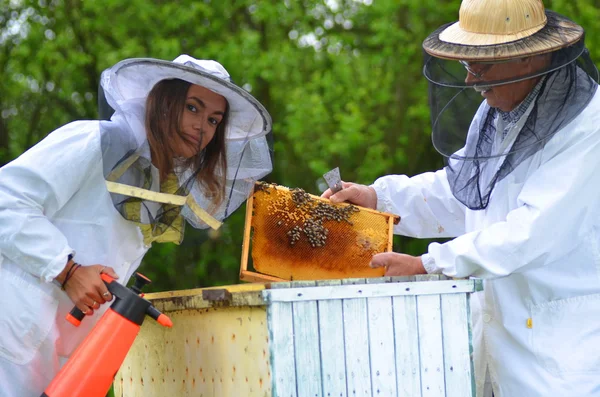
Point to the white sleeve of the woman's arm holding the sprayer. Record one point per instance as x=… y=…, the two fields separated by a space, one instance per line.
x=36 y=186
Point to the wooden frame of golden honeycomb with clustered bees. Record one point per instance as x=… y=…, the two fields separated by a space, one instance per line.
x=292 y=235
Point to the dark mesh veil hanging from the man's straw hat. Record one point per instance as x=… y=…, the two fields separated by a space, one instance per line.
x=481 y=147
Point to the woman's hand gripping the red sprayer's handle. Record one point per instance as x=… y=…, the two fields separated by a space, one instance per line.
x=86 y=288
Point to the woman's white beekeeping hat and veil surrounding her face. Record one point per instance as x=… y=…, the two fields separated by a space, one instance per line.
x=161 y=207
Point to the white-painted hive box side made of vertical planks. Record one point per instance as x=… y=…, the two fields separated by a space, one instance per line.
x=377 y=337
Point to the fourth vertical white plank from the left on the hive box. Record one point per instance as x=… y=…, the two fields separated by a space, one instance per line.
x=356 y=344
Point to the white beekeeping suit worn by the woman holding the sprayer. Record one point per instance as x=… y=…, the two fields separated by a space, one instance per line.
x=53 y=202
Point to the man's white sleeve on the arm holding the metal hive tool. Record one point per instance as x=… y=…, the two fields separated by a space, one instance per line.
x=424 y=203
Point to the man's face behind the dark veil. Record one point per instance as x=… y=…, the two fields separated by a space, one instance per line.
x=504 y=97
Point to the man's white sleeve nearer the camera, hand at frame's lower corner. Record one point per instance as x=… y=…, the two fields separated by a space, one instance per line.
x=558 y=205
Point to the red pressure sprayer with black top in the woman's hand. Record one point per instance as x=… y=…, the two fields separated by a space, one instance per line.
x=91 y=369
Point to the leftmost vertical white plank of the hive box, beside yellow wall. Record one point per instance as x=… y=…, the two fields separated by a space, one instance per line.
x=283 y=363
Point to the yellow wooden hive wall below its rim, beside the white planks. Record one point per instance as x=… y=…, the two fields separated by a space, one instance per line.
x=210 y=353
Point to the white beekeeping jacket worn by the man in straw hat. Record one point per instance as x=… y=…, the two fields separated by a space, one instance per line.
x=536 y=325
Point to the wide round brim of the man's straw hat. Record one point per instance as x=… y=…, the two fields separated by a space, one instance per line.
x=452 y=42
